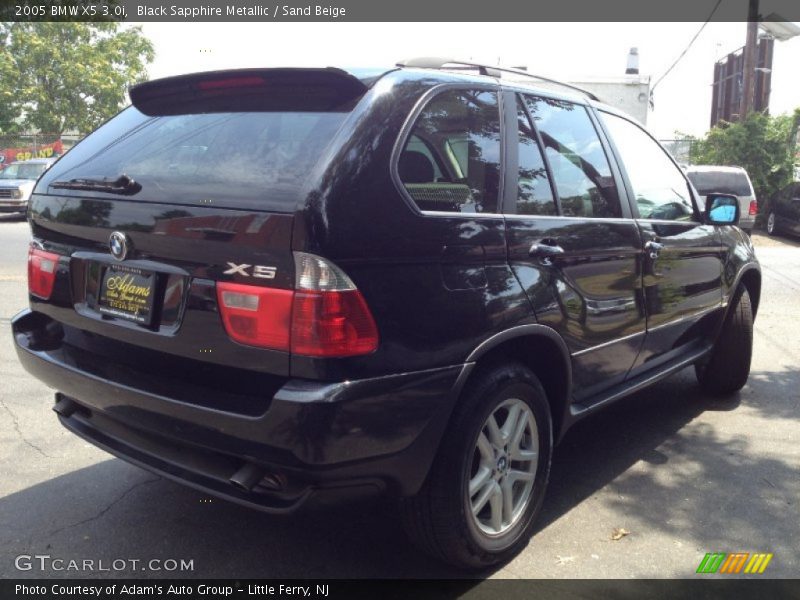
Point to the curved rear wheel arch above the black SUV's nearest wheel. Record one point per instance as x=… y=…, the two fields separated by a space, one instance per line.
x=543 y=351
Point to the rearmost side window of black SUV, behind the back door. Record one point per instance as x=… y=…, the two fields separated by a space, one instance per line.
x=451 y=161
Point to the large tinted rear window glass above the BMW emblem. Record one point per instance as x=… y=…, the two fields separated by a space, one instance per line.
x=254 y=160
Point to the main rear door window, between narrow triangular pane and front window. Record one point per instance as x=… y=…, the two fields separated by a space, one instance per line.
x=578 y=162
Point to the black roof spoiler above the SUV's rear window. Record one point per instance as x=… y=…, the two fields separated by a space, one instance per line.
x=249 y=90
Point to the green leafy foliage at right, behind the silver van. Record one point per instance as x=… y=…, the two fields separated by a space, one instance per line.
x=763 y=145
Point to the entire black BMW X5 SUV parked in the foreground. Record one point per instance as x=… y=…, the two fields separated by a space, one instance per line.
x=289 y=286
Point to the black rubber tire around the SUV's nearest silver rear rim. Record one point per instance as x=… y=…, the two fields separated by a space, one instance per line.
x=438 y=519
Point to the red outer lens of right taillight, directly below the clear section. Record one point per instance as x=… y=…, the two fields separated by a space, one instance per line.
x=332 y=323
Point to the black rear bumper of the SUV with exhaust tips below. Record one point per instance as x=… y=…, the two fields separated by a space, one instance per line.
x=316 y=439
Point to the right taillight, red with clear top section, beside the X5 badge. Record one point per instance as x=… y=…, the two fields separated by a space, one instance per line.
x=324 y=316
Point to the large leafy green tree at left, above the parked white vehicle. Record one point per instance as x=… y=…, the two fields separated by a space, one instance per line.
x=62 y=76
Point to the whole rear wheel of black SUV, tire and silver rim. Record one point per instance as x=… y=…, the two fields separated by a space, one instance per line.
x=483 y=492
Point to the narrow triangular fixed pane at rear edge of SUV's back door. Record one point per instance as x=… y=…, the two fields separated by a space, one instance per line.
x=534 y=195
